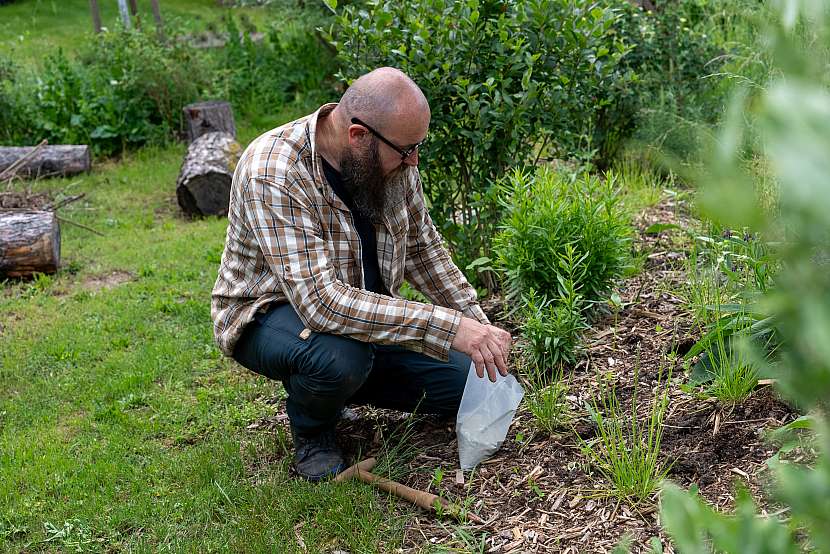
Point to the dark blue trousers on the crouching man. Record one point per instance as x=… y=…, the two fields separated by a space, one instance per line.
x=325 y=372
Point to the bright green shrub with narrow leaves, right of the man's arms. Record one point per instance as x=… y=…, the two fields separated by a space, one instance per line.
x=547 y=215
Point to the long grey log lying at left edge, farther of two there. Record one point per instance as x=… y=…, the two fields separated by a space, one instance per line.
x=52 y=160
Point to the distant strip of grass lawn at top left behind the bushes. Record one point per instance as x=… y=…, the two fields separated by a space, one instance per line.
x=32 y=29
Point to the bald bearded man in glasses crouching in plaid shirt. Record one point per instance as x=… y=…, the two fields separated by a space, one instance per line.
x=327 y=219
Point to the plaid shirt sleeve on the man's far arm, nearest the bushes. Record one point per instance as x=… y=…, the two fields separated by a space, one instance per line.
x=429 y=267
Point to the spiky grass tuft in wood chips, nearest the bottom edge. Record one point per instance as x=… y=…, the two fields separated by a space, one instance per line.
x=627 y=452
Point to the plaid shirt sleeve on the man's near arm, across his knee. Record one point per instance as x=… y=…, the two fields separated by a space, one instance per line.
x=287 y=230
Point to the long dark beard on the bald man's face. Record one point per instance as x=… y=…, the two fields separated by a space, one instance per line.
x=364 y=180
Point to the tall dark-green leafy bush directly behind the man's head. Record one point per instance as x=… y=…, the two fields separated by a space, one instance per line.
x=501 y=78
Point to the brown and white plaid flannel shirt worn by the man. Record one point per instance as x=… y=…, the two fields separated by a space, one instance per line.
x=291 y=238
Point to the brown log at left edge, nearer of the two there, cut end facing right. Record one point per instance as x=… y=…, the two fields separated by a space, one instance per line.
x=30 y=241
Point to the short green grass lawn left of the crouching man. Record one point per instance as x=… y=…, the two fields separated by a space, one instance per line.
x=121 y=425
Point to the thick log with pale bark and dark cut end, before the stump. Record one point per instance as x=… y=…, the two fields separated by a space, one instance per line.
x=204 y=183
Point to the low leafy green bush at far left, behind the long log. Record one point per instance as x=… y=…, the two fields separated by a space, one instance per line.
x=125 y=89
